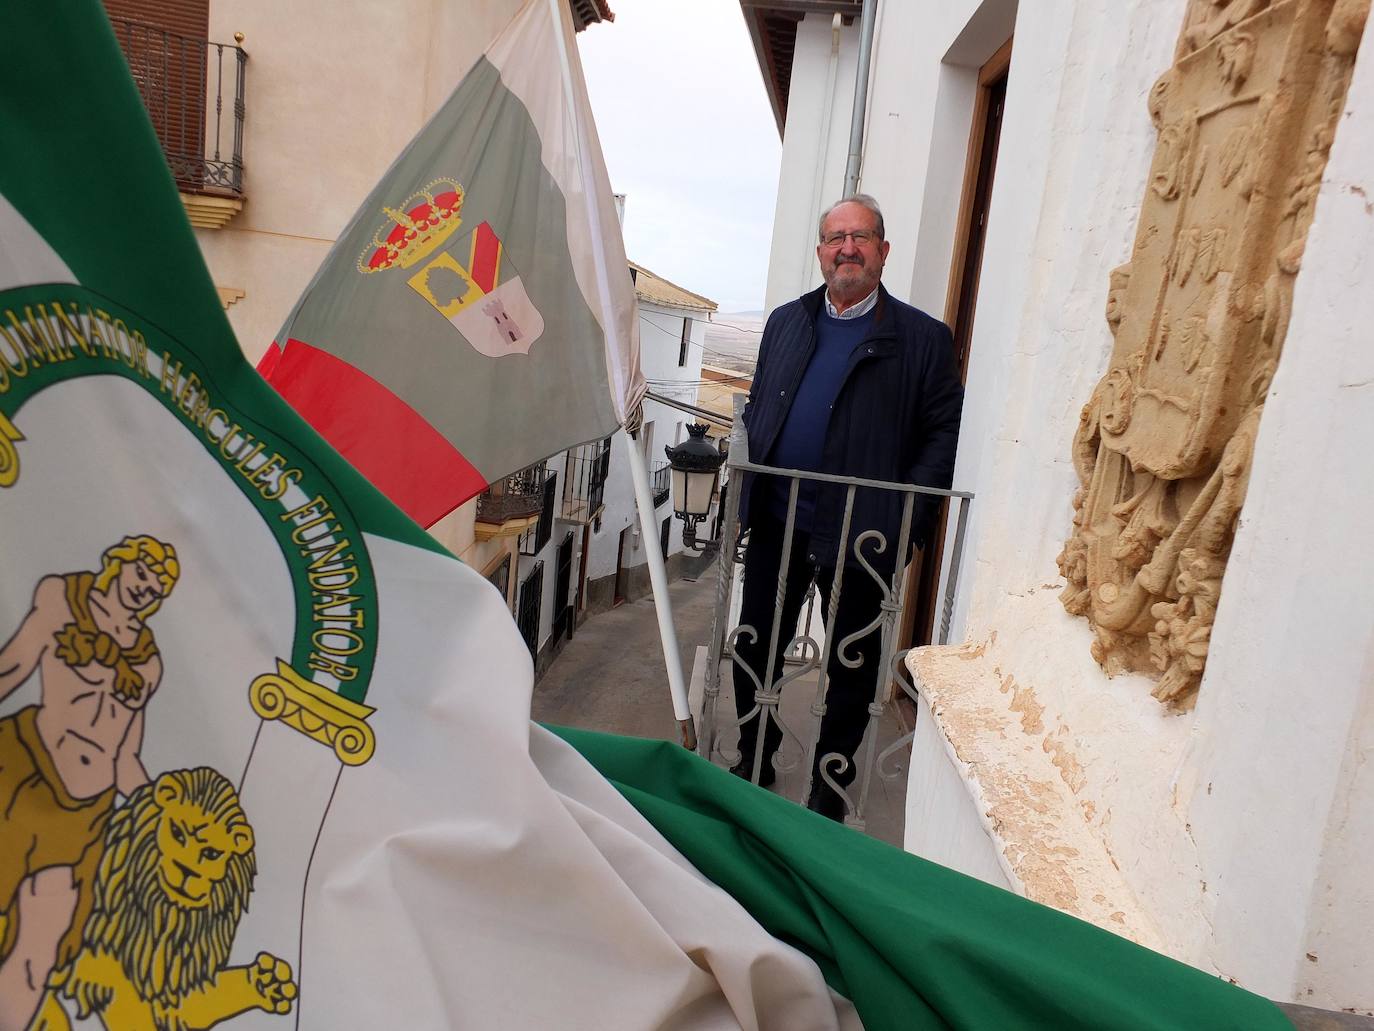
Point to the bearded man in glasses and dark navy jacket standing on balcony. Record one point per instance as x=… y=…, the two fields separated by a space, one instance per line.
x=850 y=381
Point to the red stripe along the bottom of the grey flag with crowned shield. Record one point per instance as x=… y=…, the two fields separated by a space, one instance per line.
x=383 y=436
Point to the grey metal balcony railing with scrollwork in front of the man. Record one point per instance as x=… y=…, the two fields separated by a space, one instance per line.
x=788 y=658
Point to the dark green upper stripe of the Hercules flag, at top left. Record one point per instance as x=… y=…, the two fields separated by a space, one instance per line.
x=115 y=217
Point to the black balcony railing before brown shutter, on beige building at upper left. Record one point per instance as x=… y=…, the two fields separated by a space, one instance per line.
x=194 y=94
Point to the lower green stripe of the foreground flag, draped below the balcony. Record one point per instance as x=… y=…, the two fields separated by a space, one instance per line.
x=913 y=945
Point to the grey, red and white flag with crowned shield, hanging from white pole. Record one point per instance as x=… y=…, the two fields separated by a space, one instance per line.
x=477 y=314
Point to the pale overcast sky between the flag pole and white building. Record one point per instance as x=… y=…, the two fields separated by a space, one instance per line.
x=690 y=140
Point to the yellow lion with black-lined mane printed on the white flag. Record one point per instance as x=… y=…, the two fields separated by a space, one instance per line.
x=174 y=882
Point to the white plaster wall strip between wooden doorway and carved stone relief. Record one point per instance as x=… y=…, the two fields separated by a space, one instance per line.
x=1075 y=149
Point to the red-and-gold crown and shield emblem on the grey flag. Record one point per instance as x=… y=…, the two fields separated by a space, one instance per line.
x=473 y=285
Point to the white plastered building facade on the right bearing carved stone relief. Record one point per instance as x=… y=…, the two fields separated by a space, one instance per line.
x=1229 y=825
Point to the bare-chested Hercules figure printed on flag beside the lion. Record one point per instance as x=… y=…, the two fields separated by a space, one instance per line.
x=64 y=761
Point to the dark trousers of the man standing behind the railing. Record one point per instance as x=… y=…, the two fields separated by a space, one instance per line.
x=848 y=691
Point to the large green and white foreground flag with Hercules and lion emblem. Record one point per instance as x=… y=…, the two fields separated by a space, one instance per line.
x=264 y=749
